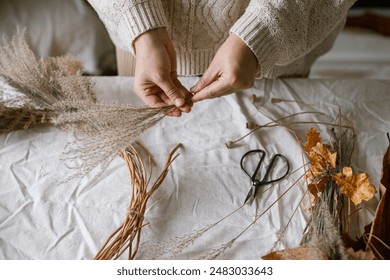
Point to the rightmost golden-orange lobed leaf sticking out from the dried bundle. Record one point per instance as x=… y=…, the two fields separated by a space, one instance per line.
x=356 y=187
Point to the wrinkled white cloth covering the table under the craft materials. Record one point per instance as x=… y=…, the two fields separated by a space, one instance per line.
x=41 y=217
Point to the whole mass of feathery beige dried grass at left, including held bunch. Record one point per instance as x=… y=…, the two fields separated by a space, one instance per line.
x=53 y=91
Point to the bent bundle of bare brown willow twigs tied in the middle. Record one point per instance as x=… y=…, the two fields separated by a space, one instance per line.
x=128 y=235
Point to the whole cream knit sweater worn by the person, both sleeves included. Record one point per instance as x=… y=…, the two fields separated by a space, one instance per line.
x=286 y=36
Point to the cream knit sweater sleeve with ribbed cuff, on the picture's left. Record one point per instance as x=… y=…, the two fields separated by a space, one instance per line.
x=125 y=20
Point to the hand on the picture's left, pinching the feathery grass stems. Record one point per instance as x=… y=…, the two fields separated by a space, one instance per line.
x=156 y=80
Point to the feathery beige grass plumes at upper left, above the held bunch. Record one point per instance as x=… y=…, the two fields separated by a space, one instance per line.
x=50 y=84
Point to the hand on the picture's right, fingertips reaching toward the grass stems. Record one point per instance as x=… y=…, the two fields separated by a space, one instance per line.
x=233 y=68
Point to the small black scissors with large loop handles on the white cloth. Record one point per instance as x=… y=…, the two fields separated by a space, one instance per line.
x=257 y=183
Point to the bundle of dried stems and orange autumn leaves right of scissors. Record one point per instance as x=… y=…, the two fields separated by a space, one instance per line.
x=332 y=186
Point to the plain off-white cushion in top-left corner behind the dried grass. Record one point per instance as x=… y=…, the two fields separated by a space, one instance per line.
x=57 y=27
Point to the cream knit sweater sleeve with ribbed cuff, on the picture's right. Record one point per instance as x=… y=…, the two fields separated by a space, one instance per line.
x=281 y=31
